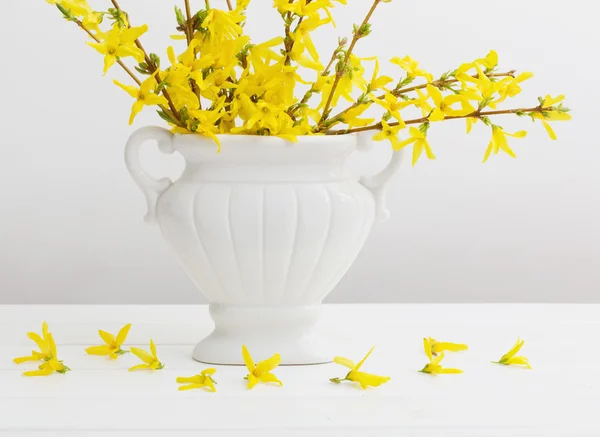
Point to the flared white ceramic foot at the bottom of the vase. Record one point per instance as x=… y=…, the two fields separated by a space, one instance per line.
x=289 y=331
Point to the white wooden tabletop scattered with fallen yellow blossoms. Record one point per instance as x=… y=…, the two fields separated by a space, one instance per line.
x=559 y=397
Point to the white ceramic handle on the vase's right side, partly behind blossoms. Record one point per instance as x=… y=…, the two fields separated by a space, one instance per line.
x=379 y=183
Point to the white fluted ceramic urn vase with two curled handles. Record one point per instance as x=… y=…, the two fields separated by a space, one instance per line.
x=265 y=228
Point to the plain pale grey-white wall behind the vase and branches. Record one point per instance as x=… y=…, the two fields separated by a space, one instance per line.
x=511 y=230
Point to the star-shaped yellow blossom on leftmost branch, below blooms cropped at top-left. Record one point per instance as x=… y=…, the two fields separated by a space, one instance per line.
x=119 y=43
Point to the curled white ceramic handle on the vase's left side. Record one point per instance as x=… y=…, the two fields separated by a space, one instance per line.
x=151 y=187
